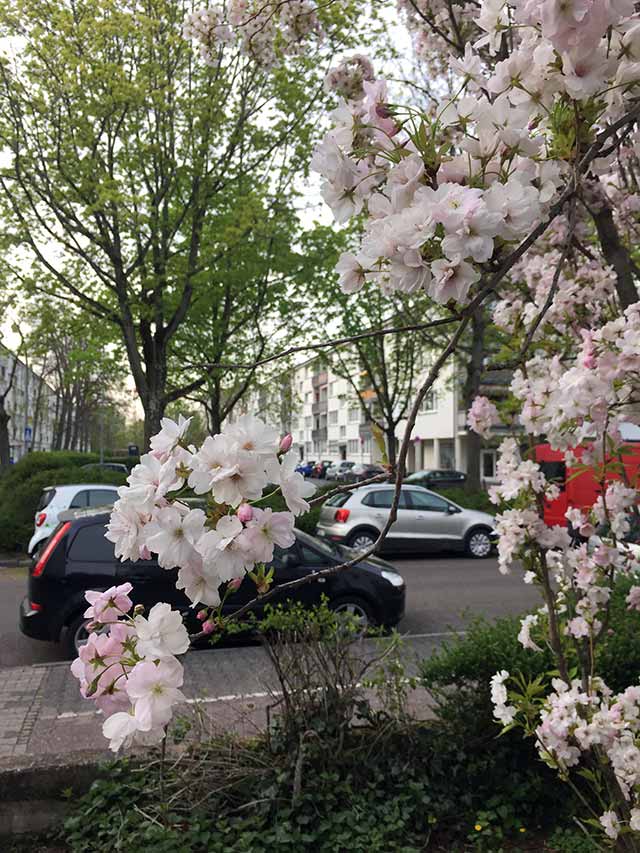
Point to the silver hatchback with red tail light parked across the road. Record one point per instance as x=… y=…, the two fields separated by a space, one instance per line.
x=426 y=521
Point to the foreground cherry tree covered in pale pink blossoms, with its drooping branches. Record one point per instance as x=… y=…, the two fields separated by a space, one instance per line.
x=514 y=188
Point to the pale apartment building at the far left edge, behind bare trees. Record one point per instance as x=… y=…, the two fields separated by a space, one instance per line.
x=31 y=404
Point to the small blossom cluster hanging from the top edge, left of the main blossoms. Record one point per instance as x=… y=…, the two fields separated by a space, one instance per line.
x=263 y=31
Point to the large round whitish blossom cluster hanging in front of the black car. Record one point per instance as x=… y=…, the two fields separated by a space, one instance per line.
x=221 y=544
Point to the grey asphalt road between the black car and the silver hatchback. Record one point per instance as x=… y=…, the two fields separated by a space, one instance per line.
x=443 y=592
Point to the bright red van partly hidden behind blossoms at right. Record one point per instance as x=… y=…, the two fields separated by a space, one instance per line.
x=578 y=488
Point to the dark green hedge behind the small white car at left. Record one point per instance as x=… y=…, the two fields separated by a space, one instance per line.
x=21 y=487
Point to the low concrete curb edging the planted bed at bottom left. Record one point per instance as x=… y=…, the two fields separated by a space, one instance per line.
x=31 y=789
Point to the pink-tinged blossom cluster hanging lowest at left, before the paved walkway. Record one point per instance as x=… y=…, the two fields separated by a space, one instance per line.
x=128 y=666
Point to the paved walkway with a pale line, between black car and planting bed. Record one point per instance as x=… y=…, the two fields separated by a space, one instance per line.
x=42 y=712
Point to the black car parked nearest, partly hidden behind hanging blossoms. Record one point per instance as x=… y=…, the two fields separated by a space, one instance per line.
x=78 y=558
